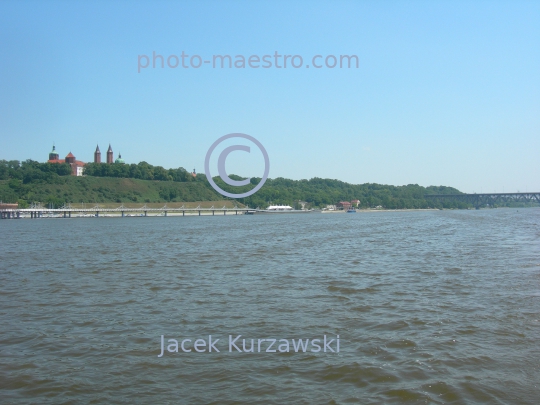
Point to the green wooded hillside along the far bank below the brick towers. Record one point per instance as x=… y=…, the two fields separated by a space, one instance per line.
x=30 y=181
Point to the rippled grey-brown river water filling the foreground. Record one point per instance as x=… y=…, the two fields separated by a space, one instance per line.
x=431 y=307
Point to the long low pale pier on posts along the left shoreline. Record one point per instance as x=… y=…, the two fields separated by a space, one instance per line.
x=38 y=211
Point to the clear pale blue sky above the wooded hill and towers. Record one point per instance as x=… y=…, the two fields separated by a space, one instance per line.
x=446 y=93
